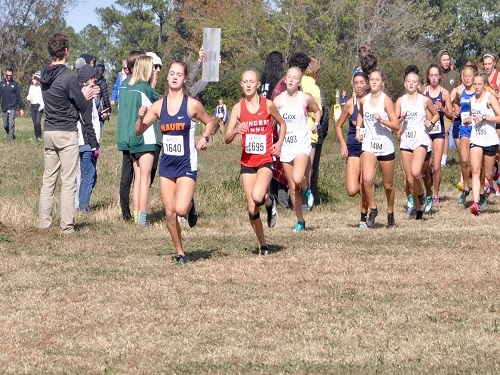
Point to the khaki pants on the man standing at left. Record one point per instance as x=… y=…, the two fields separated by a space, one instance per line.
x=61 y=153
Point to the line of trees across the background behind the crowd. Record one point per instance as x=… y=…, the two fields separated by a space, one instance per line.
x=400 y=32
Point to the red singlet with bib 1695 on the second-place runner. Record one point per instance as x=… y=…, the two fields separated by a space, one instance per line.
x=257 y=142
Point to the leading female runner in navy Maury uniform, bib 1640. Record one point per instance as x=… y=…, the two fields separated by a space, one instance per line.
x=179 y=162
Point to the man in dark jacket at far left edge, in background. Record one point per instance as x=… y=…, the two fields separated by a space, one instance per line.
x=11 y=99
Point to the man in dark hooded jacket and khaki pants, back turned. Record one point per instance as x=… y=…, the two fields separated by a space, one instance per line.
x=64 y=99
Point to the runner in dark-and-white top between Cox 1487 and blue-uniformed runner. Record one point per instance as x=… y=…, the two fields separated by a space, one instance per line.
x=441 y=99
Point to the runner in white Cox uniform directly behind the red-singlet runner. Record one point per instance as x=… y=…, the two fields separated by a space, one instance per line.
x=293 y=106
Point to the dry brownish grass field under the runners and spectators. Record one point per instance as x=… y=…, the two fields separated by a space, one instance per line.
x=424 y=298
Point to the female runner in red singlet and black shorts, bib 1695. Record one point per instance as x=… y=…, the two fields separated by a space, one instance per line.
x=254 y=115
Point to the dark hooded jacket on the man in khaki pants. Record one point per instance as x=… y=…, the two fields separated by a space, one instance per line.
x=63 y=98
